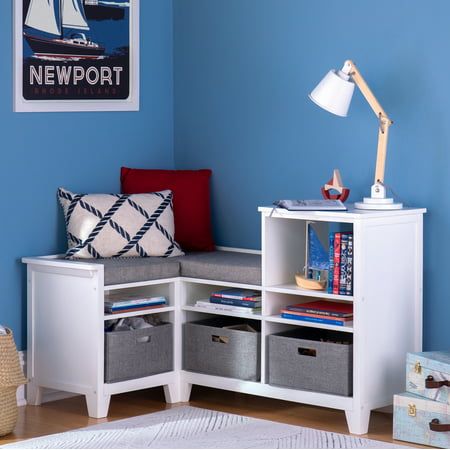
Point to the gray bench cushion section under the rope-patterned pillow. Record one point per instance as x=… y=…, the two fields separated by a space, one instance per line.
x=129 y=270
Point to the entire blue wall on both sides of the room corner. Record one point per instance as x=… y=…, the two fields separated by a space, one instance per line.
x=243 y=69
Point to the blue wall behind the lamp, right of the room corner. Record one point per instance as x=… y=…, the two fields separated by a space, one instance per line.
x=243 y=69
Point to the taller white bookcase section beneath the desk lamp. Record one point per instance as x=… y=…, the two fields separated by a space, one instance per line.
x=387 y=297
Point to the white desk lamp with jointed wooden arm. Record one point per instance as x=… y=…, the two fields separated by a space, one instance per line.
x=334 y=94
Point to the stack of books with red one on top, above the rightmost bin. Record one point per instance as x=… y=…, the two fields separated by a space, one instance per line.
x=320 y=311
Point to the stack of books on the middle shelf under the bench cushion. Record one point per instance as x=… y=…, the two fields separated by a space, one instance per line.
x=235 y=300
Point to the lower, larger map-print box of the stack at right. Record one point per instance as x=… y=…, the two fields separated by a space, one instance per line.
x=421 y=421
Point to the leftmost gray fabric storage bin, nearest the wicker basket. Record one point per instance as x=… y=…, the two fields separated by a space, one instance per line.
x=138 y=353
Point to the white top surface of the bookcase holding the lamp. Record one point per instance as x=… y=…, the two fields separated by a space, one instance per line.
x=349 y=215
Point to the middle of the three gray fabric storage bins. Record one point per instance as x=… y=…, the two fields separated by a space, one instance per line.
x=209 y=348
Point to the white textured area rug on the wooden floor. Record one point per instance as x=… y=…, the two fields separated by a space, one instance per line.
x=188 y=427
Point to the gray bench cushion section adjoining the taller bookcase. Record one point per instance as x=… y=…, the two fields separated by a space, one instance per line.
x=234 y=267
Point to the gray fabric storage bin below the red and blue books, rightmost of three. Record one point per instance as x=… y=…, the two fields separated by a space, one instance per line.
x=299 y=359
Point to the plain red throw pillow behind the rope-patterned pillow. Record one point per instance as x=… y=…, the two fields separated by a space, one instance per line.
x=191 y=201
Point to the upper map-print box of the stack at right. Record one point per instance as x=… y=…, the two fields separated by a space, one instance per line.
x=428 y=375
